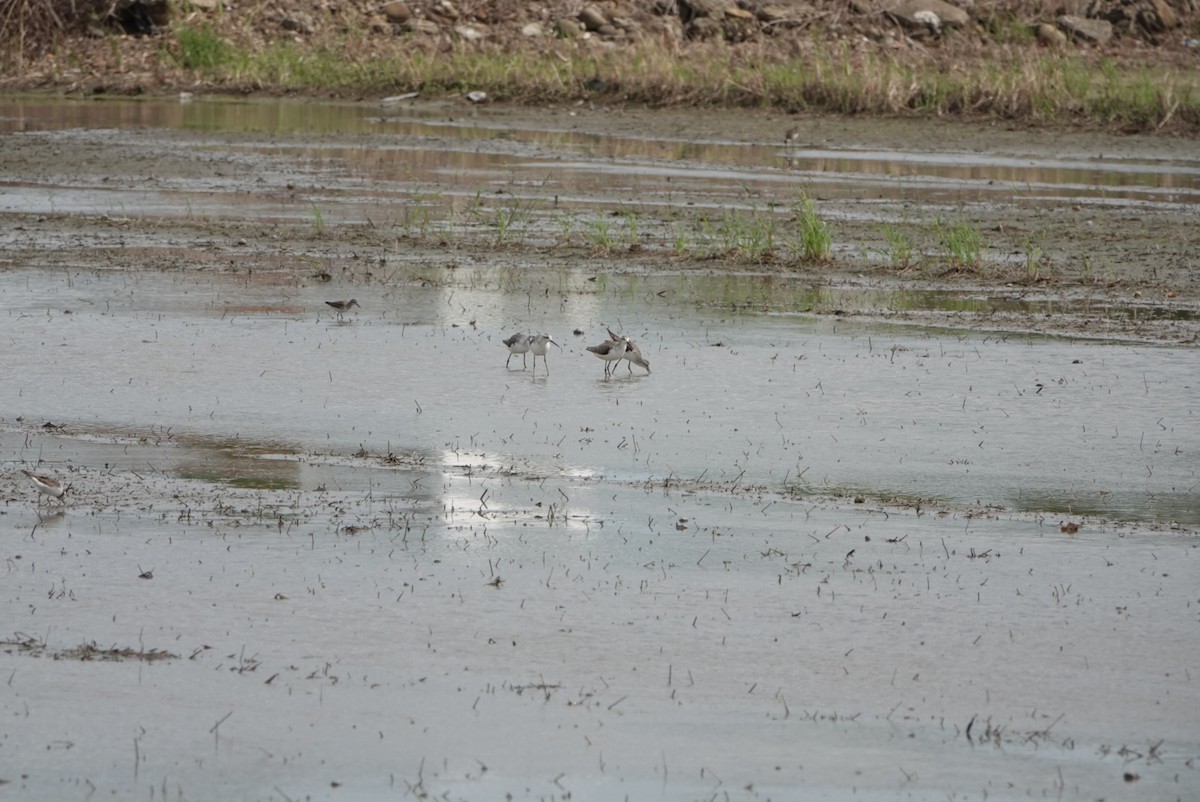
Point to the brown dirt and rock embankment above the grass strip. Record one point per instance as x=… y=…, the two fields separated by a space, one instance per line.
x=134 y=46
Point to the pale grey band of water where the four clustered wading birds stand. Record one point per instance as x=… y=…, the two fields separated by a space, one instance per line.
x=784 y=400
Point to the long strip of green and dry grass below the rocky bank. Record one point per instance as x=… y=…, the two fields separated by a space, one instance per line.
x=1012 y=80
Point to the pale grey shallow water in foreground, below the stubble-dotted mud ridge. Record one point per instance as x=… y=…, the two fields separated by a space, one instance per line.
x=655 y=644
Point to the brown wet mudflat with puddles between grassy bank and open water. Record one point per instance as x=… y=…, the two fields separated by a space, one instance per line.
x=1083 y=235
